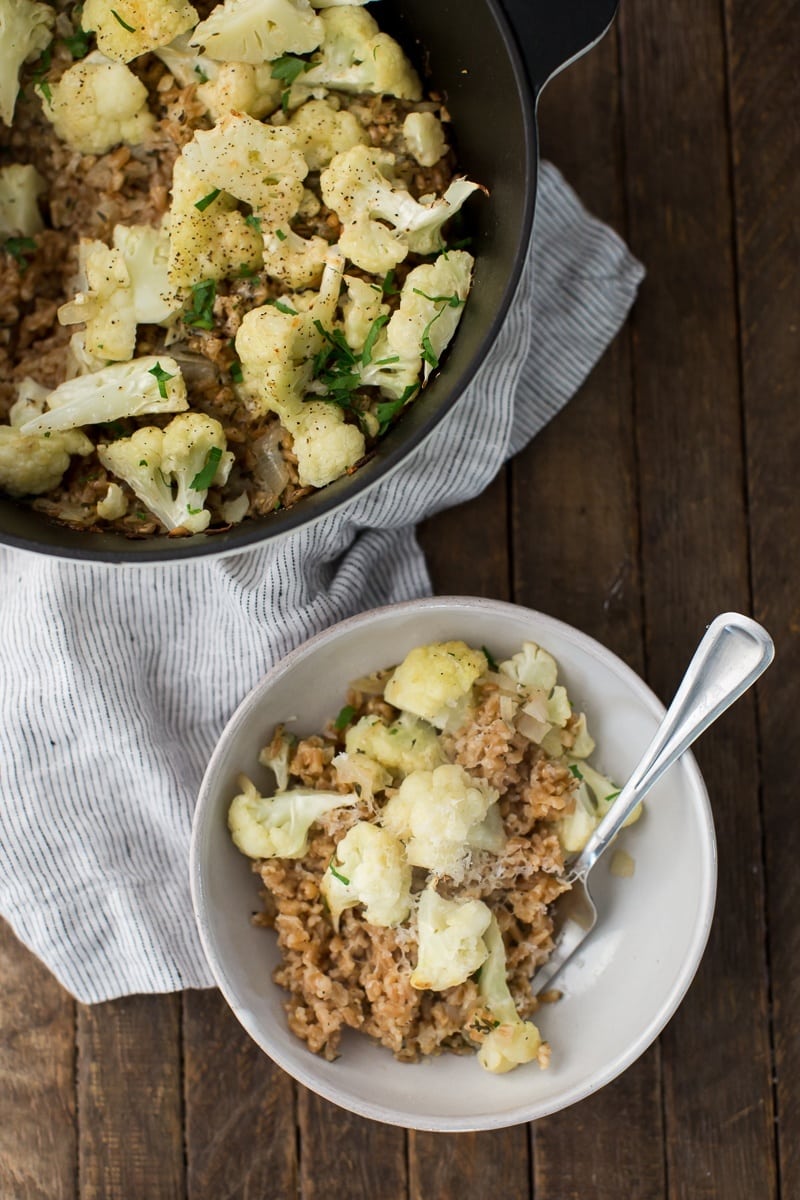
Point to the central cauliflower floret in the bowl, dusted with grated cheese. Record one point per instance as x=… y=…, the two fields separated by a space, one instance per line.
x=434 y=813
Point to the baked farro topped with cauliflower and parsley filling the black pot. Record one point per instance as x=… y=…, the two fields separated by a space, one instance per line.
x=227 y=257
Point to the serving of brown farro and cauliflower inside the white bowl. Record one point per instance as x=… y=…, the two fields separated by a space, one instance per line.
x=412 y=851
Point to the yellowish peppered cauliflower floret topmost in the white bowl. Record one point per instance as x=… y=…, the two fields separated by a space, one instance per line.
x=432 y=680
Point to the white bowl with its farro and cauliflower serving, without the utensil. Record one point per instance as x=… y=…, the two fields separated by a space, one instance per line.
x=381 y=839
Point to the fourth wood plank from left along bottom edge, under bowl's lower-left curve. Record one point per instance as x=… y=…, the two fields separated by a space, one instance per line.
x=342 y=1154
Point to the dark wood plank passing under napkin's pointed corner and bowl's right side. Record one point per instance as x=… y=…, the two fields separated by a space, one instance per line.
x=579 y=560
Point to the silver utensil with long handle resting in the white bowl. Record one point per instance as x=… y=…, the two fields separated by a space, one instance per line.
x=731 y=657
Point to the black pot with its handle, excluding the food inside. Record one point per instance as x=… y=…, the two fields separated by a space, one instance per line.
x=492 y=62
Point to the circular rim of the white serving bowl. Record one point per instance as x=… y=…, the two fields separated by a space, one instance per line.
x=520 y=1114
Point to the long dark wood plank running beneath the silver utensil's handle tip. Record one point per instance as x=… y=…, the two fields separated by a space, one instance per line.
x=715 y=1053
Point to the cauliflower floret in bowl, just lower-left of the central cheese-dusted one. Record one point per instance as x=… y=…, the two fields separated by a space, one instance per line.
x=369 y=868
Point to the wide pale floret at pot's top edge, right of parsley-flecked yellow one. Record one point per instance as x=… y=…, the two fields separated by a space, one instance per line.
x=258 y=31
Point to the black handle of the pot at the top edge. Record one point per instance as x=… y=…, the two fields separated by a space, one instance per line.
x=555 y=33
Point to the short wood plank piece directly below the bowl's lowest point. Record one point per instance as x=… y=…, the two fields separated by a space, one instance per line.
x=470 y=1166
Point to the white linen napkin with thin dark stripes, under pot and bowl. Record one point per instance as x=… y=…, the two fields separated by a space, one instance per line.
x=116 y=683
